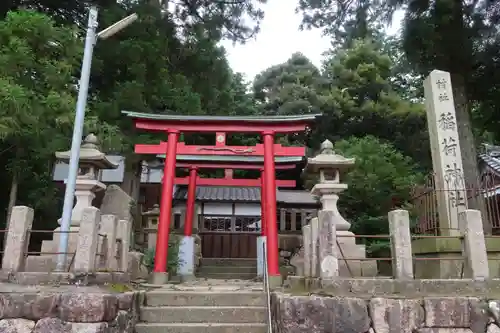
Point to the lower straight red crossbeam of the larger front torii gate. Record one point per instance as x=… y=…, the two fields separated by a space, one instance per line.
x=183 y=149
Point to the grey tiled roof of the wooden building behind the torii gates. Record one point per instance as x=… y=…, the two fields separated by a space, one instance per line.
x=243 y=194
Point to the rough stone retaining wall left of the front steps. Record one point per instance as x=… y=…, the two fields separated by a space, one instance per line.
x=68 y=312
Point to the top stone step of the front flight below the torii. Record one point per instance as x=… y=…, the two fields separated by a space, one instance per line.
x=209 y=298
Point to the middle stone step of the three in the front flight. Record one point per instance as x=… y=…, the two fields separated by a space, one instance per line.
x=203 y=314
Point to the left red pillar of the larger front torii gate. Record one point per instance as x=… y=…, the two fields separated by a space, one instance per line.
x=161 y=253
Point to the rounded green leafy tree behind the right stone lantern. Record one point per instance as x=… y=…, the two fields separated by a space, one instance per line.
x=381 y=180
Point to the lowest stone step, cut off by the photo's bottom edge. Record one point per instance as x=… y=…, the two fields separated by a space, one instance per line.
x=201 y=328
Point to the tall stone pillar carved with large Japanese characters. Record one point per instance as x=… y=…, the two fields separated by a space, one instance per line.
x=446 y=153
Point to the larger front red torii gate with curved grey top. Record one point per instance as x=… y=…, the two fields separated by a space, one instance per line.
x=173 y=125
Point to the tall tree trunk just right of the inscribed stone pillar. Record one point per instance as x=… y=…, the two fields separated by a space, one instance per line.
x=468 y=149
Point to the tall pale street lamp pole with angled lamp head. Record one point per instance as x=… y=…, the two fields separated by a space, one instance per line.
x=90 y=41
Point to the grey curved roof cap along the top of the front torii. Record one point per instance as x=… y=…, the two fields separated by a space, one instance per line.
x=250 y=119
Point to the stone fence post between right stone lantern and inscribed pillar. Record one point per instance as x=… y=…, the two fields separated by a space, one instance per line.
x=399 y=229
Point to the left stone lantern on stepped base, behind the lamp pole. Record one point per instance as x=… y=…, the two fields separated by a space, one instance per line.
x=87 y=184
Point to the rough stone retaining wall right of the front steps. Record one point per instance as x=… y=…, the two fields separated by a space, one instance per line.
x=438 y=314
